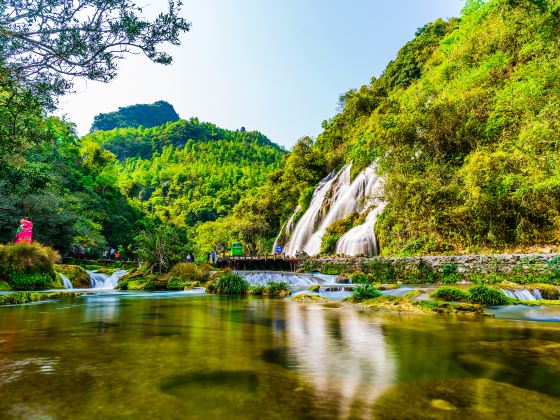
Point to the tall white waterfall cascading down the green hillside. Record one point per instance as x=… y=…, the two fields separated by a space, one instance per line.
x=336 y=198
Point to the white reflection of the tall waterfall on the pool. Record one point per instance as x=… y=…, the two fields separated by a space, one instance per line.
x=343 y=357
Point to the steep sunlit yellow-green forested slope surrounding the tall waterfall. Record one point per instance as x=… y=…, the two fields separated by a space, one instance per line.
x=465 y=125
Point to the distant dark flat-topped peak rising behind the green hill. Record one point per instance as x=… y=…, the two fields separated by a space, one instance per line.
x=145 y=115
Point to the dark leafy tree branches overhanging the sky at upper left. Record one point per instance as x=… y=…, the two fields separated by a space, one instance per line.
x=48 y=42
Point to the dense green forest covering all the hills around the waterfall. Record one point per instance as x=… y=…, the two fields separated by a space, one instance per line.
x=463 y=125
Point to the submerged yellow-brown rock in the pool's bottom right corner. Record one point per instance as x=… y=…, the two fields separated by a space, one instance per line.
x=465 y=398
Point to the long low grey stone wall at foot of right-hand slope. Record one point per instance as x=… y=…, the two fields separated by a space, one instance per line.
x=464 y=265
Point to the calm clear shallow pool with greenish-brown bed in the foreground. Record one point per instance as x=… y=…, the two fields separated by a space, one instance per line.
x=180 y=355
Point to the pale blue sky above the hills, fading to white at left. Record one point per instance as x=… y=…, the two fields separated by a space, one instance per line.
x=268 y=65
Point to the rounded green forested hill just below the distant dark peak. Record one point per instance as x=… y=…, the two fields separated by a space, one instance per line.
x=187 y=172
